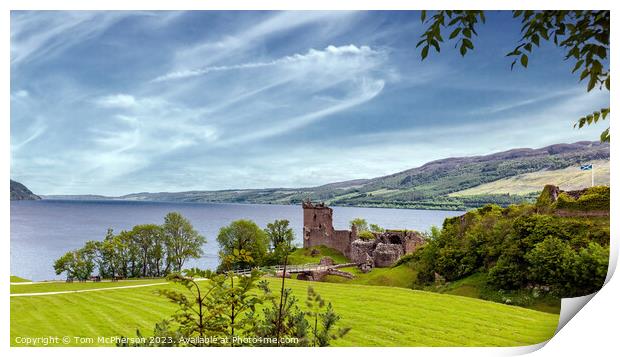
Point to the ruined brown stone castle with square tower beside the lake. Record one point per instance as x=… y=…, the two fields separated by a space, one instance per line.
x=383 y=251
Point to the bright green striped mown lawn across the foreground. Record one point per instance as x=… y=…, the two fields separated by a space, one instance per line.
x=378 y=316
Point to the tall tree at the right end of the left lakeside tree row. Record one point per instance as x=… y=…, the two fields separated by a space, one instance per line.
x=182 y=241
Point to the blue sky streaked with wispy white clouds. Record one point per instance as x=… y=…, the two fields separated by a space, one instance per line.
x=116 y=102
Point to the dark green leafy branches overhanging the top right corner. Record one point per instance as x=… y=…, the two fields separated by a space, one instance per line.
x=582 y=34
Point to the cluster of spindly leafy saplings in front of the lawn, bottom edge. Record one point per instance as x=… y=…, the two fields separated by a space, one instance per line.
x=222 y=307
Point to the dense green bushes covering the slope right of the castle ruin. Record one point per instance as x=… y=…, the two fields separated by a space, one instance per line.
x=518 y=248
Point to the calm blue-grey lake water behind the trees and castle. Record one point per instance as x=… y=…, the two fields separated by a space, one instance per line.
x=41 y=231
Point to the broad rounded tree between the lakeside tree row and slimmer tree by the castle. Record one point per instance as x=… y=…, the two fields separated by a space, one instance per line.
x=242 y=236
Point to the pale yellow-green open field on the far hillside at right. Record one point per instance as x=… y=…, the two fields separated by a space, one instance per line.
x=570 y=178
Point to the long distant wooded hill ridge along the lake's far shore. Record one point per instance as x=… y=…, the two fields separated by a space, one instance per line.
x=429 y=186
